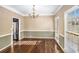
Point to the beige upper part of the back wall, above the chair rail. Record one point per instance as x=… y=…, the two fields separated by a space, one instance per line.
x=39 y=23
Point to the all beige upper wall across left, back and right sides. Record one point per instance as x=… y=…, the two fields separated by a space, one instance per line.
x=39 y=23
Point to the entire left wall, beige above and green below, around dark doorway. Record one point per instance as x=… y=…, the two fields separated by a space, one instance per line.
x=6 y=18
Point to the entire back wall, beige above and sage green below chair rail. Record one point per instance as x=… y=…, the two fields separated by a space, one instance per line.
x=39 y=27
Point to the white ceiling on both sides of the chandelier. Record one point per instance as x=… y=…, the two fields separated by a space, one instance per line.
x=25 y=10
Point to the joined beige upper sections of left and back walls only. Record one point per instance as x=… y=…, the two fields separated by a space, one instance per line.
x=27 y=23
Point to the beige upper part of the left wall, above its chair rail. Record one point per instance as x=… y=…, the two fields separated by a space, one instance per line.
x=6 y=20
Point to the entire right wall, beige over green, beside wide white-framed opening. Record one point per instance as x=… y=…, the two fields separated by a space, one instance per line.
x=60 y=14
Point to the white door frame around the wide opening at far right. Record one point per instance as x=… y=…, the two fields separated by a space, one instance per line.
x=65 y=25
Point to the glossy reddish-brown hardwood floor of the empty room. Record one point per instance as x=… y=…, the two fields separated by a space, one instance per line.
x=34 y=46
